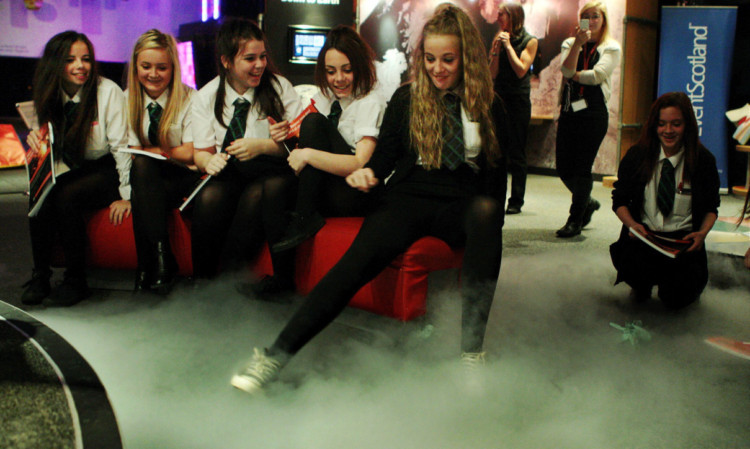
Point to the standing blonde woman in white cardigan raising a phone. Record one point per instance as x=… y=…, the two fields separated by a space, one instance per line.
x=588 y=60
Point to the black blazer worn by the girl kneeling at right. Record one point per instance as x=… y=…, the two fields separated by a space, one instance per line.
x=704 y=183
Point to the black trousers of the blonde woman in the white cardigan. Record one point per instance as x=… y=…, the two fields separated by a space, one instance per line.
x=579 y=136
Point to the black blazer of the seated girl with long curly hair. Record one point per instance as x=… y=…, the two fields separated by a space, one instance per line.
x=394 y=153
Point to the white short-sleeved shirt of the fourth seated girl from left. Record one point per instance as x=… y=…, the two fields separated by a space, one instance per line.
x=360 y=117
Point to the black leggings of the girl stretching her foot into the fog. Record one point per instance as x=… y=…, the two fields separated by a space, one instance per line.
x=398 y=222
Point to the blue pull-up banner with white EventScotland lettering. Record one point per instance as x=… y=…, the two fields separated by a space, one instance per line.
x=695 y=57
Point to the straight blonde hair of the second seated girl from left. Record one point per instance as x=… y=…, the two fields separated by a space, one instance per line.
x=178 y=92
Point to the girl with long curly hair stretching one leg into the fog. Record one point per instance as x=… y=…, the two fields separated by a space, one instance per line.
x=440 y=137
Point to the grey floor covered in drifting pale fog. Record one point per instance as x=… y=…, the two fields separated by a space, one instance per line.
x=560 y=375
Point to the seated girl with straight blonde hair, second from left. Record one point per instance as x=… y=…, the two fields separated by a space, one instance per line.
x=160 y=122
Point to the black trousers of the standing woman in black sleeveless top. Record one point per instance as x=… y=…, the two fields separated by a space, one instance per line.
x=519 y=115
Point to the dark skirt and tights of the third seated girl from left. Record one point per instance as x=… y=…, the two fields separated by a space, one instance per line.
x=237 y=211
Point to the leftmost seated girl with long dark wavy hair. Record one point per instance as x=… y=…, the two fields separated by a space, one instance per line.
x=87 y=113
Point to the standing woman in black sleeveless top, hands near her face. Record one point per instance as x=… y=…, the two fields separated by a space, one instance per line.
x=513 y=51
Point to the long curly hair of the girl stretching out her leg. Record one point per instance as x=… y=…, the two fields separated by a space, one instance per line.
x=427 y=111
